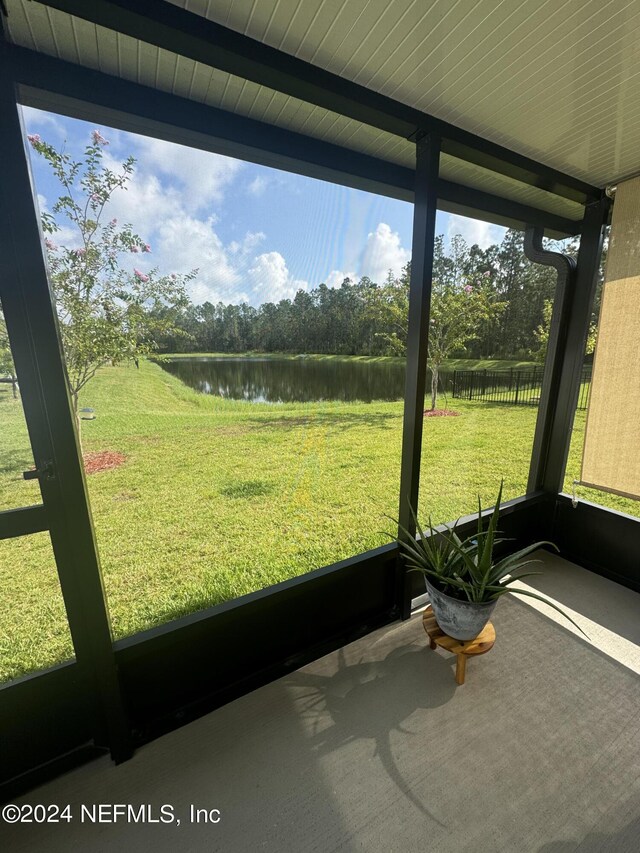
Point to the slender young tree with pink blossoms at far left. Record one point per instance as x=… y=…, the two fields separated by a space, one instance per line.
x=108 y=312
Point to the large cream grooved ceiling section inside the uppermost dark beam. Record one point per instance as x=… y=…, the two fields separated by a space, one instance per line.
x=559 y=82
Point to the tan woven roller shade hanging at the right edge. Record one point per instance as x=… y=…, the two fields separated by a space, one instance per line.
x=611 y=456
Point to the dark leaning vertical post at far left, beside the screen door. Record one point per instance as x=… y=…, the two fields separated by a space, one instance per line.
x=32 y=327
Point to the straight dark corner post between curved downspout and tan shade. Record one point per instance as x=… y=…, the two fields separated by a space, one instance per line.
x=571 y=344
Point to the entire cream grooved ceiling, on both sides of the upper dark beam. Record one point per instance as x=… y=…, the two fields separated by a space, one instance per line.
x=557 y=81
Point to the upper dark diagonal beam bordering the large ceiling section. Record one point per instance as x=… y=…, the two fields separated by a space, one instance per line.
x=195 y=37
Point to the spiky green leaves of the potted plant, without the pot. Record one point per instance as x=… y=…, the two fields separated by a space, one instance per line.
x=466 y=569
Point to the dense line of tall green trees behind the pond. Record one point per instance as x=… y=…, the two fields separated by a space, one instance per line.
x=369 y=318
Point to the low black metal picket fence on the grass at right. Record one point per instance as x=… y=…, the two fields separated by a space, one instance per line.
x=510 y=387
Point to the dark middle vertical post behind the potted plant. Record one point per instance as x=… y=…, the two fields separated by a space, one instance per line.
x=424 y=227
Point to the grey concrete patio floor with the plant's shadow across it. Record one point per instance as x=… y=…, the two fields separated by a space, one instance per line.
x=374 y=748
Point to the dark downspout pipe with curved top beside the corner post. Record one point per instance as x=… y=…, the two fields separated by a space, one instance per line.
x=560 y=317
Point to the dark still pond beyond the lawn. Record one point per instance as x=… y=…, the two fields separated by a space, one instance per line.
x=297 y=380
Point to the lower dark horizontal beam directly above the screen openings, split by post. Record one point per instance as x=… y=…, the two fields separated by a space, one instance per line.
x=52 y=84
